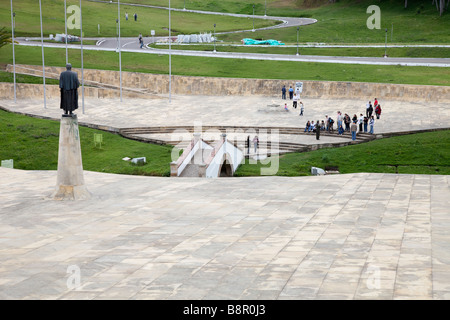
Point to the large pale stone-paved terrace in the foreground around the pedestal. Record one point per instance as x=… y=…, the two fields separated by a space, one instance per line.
x=329 y=237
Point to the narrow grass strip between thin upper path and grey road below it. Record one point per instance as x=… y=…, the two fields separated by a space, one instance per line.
x=349 y=52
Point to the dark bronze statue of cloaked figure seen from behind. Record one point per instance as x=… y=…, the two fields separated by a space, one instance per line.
x=68 y=84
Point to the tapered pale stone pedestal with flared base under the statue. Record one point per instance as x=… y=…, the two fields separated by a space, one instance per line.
x=70 y=181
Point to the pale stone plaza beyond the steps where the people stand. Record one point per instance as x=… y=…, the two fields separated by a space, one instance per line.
x=191 y=110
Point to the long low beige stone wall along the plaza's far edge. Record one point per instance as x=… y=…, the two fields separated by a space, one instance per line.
x=183 y=85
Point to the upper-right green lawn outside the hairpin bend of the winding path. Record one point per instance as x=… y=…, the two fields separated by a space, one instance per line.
x=340 y=22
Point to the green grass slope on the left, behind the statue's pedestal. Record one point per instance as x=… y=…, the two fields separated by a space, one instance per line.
x=33 y=145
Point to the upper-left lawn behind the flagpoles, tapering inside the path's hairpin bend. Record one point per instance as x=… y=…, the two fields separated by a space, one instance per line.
x=28 y=21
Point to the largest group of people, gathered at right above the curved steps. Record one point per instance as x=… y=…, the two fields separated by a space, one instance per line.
x=347 y=124
